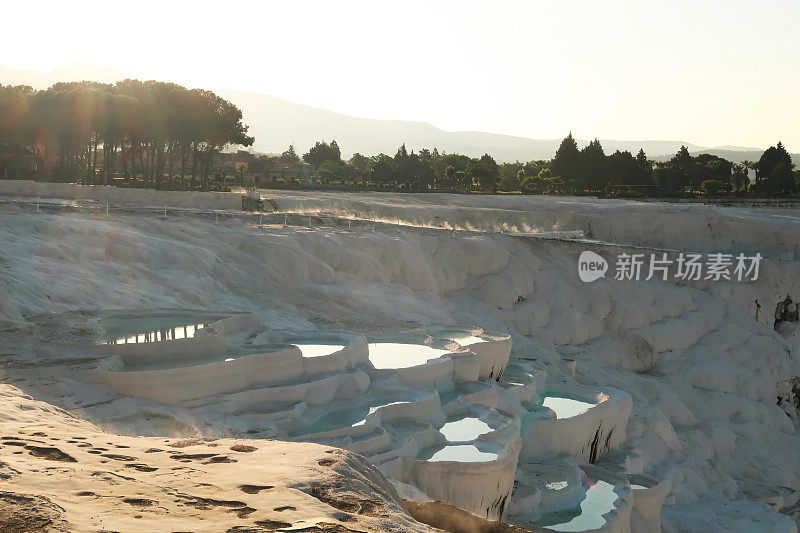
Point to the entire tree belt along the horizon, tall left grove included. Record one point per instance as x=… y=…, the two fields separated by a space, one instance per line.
x=162 y=135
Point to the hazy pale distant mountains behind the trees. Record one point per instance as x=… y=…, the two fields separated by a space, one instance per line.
x=276 y=123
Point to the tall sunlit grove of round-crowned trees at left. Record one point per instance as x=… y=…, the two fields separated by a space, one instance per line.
x=149 y=130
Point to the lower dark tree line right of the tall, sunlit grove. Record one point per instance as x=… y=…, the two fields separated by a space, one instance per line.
x=571 y=170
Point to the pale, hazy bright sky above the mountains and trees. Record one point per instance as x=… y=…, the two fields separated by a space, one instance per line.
x=708 y=72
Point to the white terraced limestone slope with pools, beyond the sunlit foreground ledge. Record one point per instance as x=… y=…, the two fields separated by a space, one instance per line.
x=691 y=386
